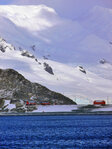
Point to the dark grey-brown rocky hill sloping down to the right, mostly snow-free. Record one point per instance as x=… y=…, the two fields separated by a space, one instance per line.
x=14 y=86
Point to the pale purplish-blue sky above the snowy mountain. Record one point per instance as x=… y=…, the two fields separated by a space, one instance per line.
x=65 y=8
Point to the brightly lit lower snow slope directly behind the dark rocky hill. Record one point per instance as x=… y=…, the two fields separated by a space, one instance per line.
x=67 y=79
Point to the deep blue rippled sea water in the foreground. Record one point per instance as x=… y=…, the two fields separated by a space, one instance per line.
x=56 y=132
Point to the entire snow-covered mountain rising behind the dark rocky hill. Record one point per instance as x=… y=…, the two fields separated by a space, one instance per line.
x=70 y=49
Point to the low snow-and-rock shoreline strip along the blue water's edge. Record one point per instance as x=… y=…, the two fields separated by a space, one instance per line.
x=57 y=110
